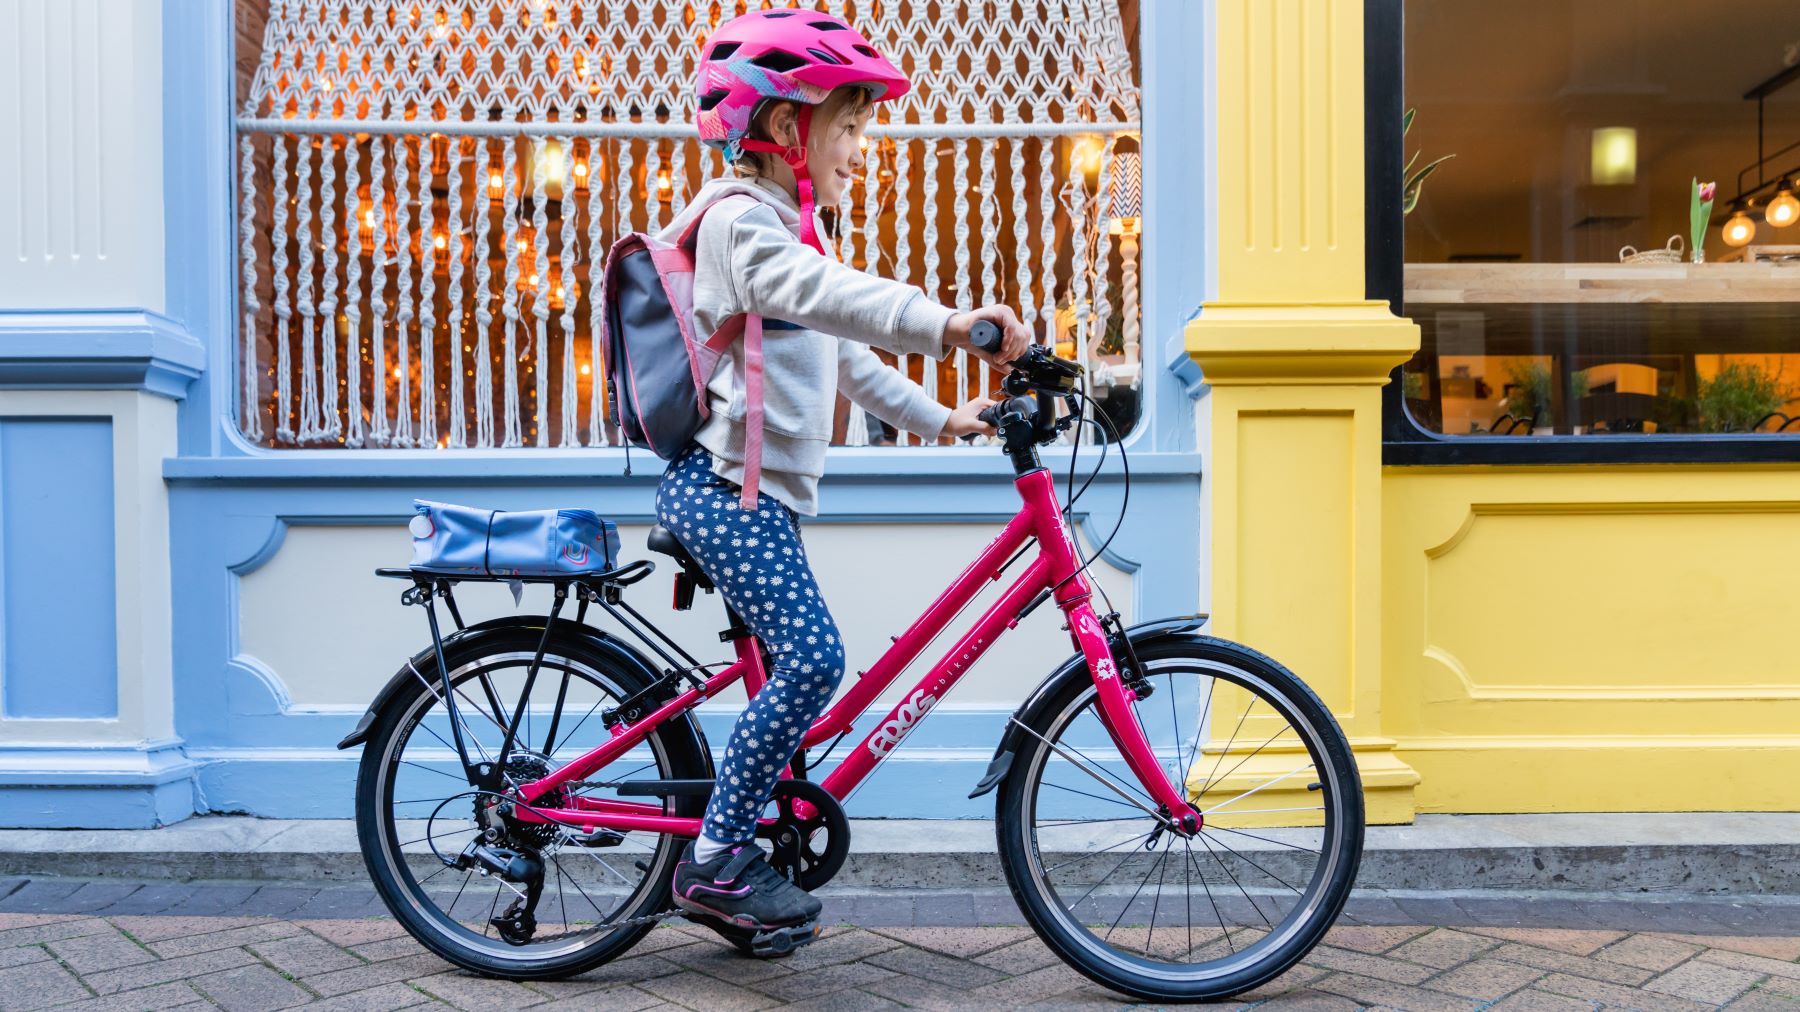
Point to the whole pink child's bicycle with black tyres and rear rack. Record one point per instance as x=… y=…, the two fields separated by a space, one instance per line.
x=1178 y=817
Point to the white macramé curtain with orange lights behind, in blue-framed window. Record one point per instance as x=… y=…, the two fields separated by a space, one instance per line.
x=426 y=188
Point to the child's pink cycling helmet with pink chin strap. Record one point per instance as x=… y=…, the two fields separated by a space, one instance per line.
x=793 y=55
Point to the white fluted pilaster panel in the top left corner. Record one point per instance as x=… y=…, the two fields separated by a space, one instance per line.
x=82 y=140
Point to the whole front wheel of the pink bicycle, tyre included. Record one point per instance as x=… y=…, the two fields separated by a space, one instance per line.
x=1164 y=916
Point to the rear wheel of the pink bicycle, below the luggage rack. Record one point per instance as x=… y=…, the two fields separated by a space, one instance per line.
x=417 y=811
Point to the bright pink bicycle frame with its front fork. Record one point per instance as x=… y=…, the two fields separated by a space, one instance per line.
x=1056 y=570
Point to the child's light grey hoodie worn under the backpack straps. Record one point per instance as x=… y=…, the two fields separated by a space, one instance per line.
x=750 y=260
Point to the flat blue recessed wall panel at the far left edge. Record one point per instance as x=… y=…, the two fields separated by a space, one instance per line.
x=58 y=626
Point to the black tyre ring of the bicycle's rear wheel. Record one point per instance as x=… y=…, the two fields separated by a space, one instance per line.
x=678 y=748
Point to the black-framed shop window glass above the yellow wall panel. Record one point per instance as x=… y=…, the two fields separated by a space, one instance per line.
x=1560 y=273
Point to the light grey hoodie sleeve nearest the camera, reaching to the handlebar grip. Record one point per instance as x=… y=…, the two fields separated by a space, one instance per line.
x=782 y=278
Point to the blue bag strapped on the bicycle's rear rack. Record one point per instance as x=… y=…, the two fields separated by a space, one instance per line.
x=467 y=541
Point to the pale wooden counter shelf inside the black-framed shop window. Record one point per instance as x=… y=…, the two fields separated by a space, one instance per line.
x=1538 y=284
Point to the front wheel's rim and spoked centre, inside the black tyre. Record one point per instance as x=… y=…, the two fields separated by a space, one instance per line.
x=1234 y=896
